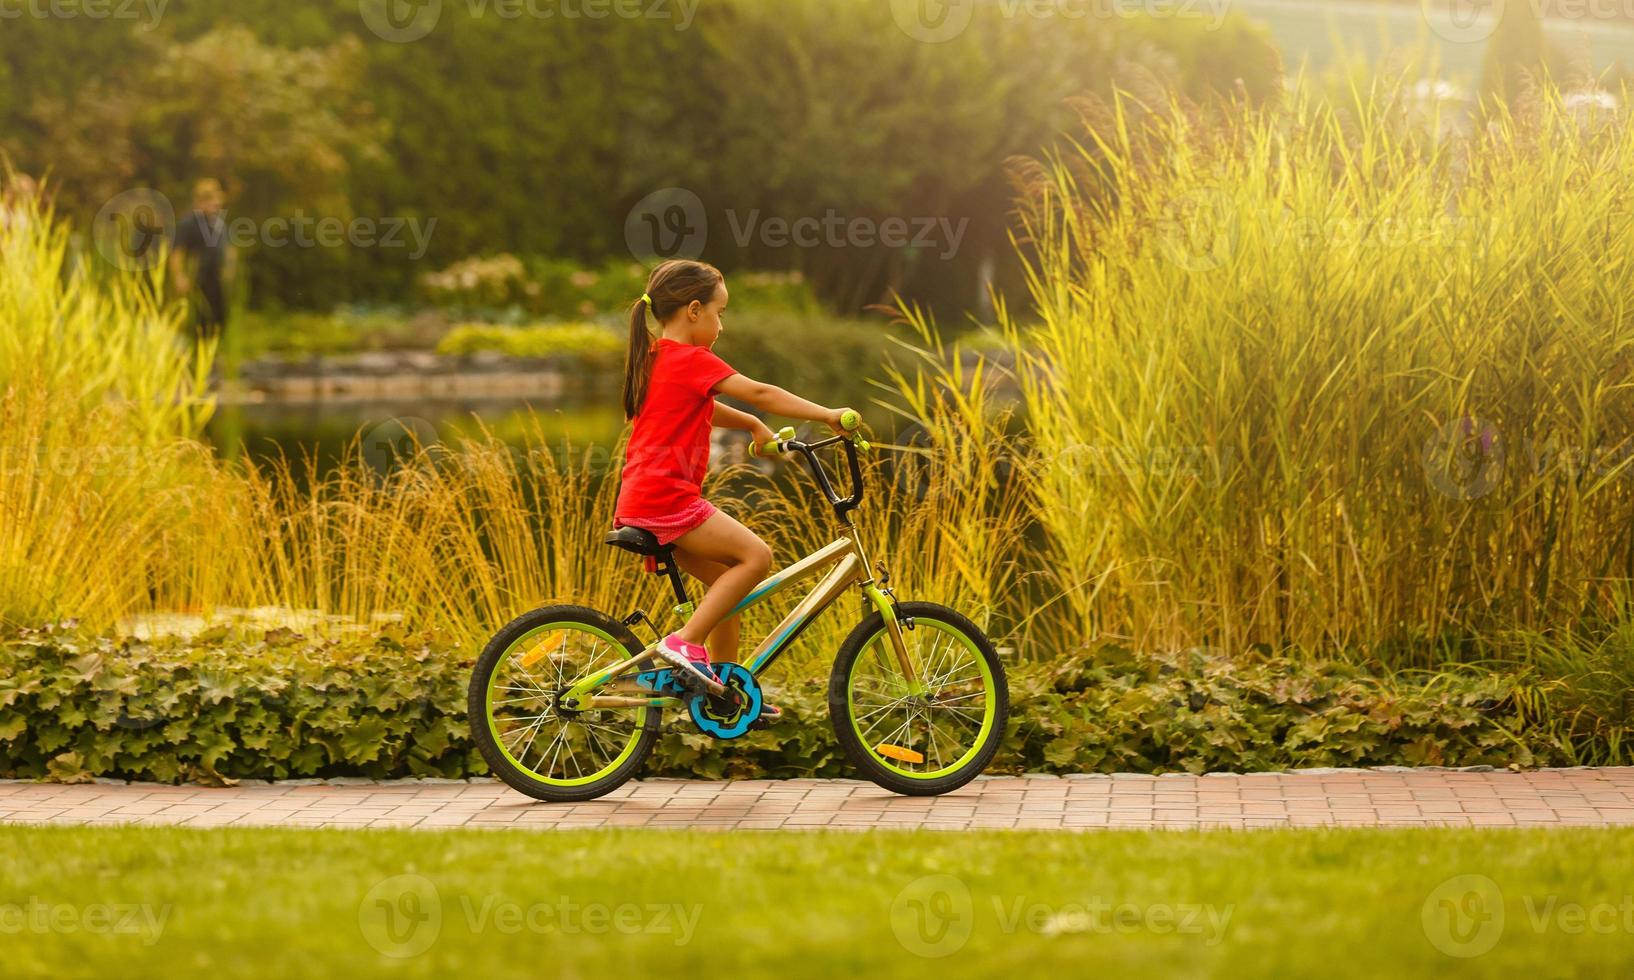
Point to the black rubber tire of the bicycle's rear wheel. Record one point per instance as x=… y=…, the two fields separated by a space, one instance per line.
x=501 y=764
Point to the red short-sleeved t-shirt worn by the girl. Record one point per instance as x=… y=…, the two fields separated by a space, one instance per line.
x=669 y=450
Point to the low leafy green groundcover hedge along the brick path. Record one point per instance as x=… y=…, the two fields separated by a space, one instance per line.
x=277 y=705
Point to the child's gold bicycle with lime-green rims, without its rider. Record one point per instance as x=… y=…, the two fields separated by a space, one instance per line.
x=566 y=703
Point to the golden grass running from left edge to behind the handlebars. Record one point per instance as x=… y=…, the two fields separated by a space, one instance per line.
x=112 y=509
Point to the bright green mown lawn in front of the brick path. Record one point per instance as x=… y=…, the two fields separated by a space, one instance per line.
x=597 y=904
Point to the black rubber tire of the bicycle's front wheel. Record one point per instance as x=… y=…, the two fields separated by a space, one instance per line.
x=857 y=751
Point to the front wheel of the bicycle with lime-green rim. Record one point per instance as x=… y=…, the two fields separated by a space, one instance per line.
x=927 y=737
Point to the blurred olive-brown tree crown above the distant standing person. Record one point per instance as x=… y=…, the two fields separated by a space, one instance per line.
x=279 y=128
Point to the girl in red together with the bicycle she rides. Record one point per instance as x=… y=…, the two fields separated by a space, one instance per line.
x=568 y=703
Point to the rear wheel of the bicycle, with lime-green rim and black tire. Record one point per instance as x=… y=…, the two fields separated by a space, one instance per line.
x=524 y=734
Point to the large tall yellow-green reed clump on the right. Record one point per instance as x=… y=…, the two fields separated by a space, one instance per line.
x=1328 y=378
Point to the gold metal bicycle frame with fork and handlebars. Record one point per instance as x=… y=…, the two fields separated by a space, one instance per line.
x=846 y=563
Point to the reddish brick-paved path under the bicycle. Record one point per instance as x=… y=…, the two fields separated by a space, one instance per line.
x=1331 y=798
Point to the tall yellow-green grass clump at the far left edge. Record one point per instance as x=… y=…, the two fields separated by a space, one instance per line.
x=99 y=403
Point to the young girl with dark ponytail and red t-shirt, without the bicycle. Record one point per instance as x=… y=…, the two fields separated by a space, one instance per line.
x=669 y=393
